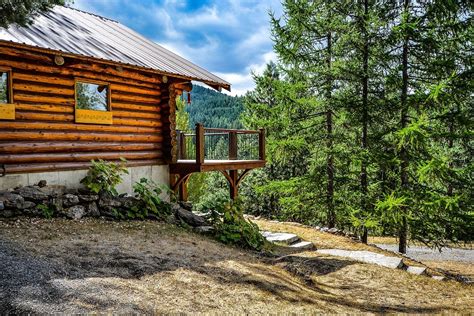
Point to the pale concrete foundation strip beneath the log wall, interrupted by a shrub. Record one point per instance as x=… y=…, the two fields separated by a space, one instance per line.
x=71 y=179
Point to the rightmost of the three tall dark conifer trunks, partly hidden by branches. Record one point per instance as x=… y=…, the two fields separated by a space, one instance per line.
x=403 y=233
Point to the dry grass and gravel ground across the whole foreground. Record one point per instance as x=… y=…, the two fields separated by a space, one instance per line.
x=63 y=266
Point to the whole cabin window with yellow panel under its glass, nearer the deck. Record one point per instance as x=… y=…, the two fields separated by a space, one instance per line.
x=93 y=102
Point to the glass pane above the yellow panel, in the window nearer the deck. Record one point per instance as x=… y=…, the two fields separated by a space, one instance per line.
x=91 y=96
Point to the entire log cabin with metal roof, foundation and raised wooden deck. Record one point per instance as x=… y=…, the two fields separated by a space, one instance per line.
x=75 y=86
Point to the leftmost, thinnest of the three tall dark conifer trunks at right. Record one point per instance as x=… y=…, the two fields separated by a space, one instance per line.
x=329 y=140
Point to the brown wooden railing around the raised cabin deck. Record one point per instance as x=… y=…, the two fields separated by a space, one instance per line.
x=221 y=144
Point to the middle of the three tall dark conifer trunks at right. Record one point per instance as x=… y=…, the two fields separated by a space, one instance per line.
x=365 y=118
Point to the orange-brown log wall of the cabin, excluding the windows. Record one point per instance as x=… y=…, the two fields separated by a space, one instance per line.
x=44 y=135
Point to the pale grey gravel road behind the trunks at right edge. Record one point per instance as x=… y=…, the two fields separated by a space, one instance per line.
x=424 y=253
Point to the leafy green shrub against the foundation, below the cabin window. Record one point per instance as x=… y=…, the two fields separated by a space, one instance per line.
x=103 y=176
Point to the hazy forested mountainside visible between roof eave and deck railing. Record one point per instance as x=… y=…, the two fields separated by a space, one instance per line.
x=214 y=109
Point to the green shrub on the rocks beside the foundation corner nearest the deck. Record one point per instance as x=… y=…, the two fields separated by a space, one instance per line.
x=149 y=194
